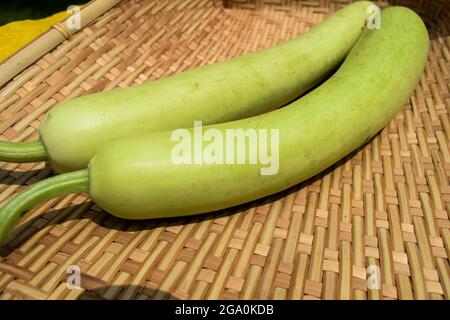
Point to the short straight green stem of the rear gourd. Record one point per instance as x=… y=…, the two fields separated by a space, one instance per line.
x=19 y=152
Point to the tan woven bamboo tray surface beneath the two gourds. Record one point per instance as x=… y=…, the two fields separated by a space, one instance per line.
x=385 y=207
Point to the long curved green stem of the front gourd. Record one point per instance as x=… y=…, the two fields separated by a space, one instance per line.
x=10 y=214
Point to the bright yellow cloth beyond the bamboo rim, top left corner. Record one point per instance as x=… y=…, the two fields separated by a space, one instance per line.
x=17 y=34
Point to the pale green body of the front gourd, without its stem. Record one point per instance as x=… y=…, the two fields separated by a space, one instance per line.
x=134 y=177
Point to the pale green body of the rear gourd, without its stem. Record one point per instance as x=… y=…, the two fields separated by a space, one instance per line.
x=242 y=87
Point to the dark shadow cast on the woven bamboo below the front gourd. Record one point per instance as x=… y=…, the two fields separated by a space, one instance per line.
x=107 y=221
